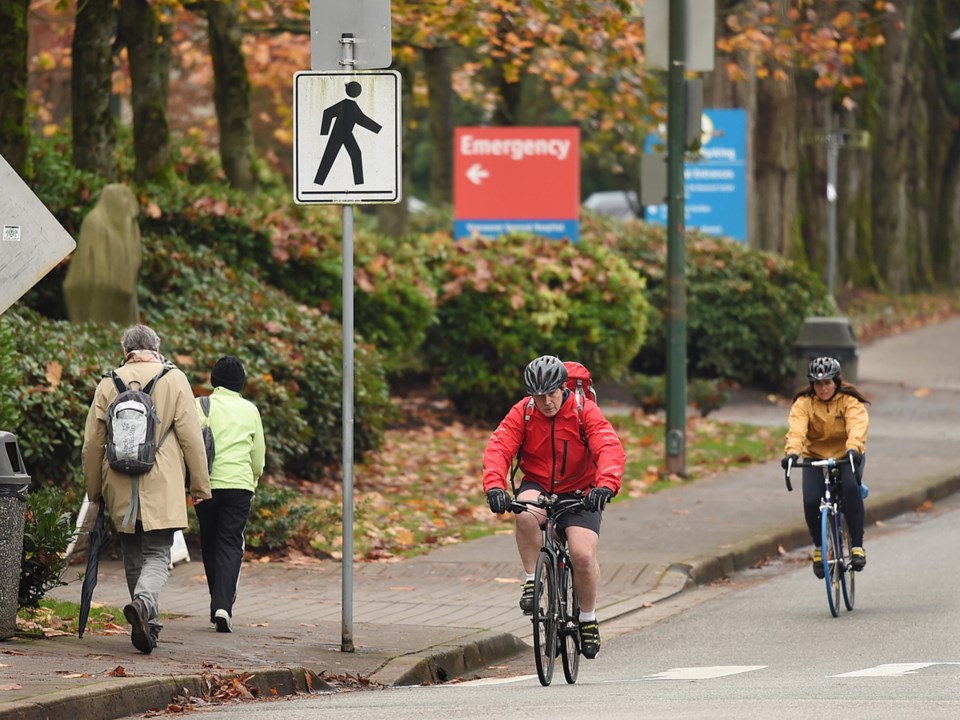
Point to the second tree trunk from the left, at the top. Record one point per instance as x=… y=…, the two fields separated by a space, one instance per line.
x=94 y=130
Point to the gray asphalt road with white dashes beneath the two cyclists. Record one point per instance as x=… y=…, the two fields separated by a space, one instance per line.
x=762 y=646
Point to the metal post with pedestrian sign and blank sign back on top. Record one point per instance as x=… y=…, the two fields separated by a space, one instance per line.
x=347 y=151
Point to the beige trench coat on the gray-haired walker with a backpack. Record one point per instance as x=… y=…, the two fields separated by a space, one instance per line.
x=162 y=497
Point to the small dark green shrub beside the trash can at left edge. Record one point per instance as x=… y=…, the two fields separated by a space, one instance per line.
x=47 y=532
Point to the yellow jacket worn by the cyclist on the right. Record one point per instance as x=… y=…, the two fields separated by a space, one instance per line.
x=824 y=430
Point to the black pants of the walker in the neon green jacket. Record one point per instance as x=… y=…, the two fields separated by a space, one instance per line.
x=223 y=519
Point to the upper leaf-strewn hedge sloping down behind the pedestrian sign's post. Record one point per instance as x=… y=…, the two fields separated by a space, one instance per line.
x=300 y=252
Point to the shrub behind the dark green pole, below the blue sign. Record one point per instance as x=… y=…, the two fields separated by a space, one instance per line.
x=744 y=307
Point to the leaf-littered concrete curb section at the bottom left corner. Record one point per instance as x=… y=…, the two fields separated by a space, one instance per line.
x=120 y=698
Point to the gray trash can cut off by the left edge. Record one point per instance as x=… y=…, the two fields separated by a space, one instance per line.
x=14 y=483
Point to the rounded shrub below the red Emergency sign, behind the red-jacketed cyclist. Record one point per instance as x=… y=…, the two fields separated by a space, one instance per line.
x=504 y=302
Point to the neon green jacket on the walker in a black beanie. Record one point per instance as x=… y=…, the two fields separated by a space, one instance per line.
x=238 y=440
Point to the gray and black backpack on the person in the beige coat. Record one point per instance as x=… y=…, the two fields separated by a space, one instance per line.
x=132 y=423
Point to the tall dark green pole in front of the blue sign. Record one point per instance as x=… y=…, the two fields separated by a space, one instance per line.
x=676 y=279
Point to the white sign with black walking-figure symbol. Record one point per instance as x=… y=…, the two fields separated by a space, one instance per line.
x=346 y=137
